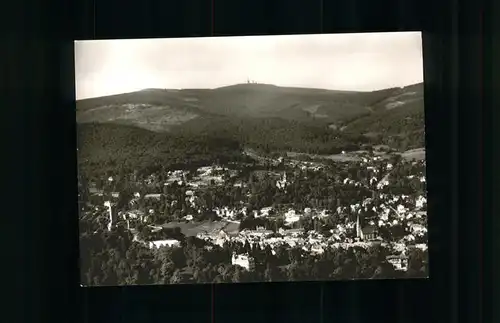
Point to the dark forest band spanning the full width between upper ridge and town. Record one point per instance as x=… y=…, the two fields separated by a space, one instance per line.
x=106 y=147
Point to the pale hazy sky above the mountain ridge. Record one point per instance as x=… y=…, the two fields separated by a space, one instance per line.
x=350 y=62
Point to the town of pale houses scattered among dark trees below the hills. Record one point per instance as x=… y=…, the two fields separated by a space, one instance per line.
x=280 y=217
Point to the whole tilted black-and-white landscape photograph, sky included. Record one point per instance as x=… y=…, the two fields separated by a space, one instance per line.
x=251 y=159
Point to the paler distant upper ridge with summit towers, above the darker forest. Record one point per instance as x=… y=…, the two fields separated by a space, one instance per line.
x=160 y=109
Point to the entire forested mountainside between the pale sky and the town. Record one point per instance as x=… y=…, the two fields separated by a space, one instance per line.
x=168 y=128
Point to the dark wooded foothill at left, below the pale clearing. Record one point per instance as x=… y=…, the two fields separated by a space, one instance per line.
x=111 y=148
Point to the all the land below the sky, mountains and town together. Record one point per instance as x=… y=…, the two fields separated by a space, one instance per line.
x=252 y=182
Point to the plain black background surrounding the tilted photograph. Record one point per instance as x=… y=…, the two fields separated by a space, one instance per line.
x=41 y=249
